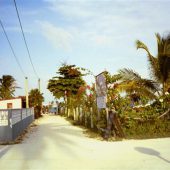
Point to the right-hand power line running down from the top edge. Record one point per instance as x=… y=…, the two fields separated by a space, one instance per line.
x=25 y=38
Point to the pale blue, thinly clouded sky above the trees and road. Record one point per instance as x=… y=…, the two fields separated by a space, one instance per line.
x=94 y=34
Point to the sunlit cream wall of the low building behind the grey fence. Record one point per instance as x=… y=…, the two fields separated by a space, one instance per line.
x=16 y=103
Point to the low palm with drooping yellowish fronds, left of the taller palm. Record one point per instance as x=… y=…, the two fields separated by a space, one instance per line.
x=133 y=83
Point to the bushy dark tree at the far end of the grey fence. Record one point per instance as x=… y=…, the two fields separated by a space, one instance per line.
x=35 y=100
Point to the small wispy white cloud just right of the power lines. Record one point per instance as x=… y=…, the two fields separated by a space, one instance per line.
x=58 y=36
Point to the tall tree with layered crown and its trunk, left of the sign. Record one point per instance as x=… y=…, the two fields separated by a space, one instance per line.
x=68 y=84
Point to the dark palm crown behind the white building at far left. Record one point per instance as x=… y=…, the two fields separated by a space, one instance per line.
x=7 y=87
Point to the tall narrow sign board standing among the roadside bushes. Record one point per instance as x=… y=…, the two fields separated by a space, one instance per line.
x=101 y=90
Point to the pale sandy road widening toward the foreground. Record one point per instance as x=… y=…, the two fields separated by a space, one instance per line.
x=58 y=145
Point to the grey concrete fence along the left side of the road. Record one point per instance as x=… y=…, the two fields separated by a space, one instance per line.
x=13 y=122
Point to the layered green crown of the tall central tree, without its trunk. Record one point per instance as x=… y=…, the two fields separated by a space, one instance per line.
x=67 y=82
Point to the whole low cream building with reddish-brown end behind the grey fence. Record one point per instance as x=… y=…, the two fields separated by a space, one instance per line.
x=13 y=103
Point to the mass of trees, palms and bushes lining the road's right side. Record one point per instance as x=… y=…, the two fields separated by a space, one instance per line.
x=140 y=112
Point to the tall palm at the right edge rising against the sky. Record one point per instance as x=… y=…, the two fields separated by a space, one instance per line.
x=160 y=64
